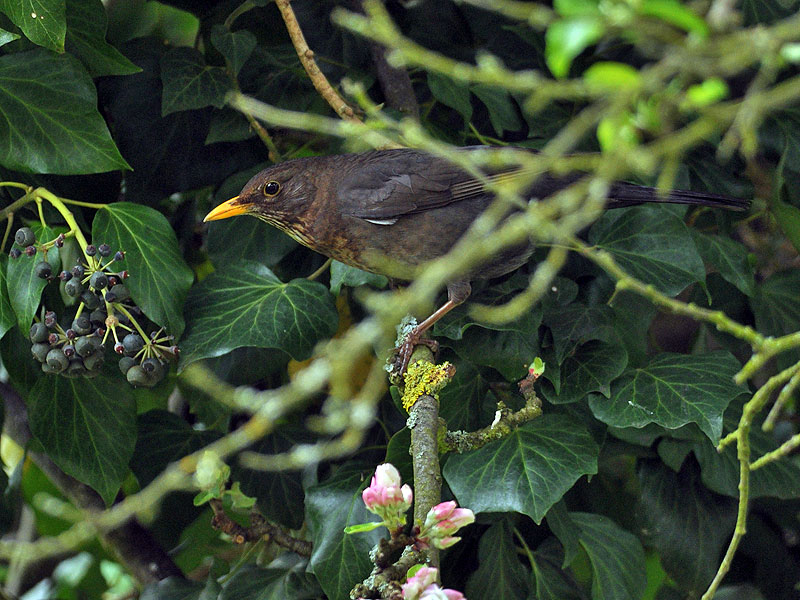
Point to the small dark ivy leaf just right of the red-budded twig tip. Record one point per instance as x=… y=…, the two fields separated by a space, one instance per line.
x=591 y=369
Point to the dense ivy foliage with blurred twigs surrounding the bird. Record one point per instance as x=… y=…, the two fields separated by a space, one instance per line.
x=119 y=131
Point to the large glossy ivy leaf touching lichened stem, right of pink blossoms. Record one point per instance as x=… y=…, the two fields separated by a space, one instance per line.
x=527 y=471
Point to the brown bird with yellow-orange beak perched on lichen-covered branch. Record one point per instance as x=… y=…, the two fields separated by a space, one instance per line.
x=390 y=211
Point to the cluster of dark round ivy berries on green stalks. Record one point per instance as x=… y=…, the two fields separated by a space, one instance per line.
x=104 y=310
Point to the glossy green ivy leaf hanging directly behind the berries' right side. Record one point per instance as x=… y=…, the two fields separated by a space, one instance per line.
x=159 y=278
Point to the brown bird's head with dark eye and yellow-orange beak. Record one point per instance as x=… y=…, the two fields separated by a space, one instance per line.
x=279 y=195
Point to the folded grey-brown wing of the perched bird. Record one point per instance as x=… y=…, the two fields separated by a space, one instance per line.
x=389 y=184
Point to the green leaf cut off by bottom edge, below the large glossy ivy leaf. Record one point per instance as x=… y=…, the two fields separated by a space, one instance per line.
x=616 y=556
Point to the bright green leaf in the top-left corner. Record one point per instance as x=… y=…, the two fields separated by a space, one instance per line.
x=42 y=21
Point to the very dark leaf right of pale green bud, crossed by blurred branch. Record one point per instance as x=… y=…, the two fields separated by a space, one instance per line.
x=279 y=494
